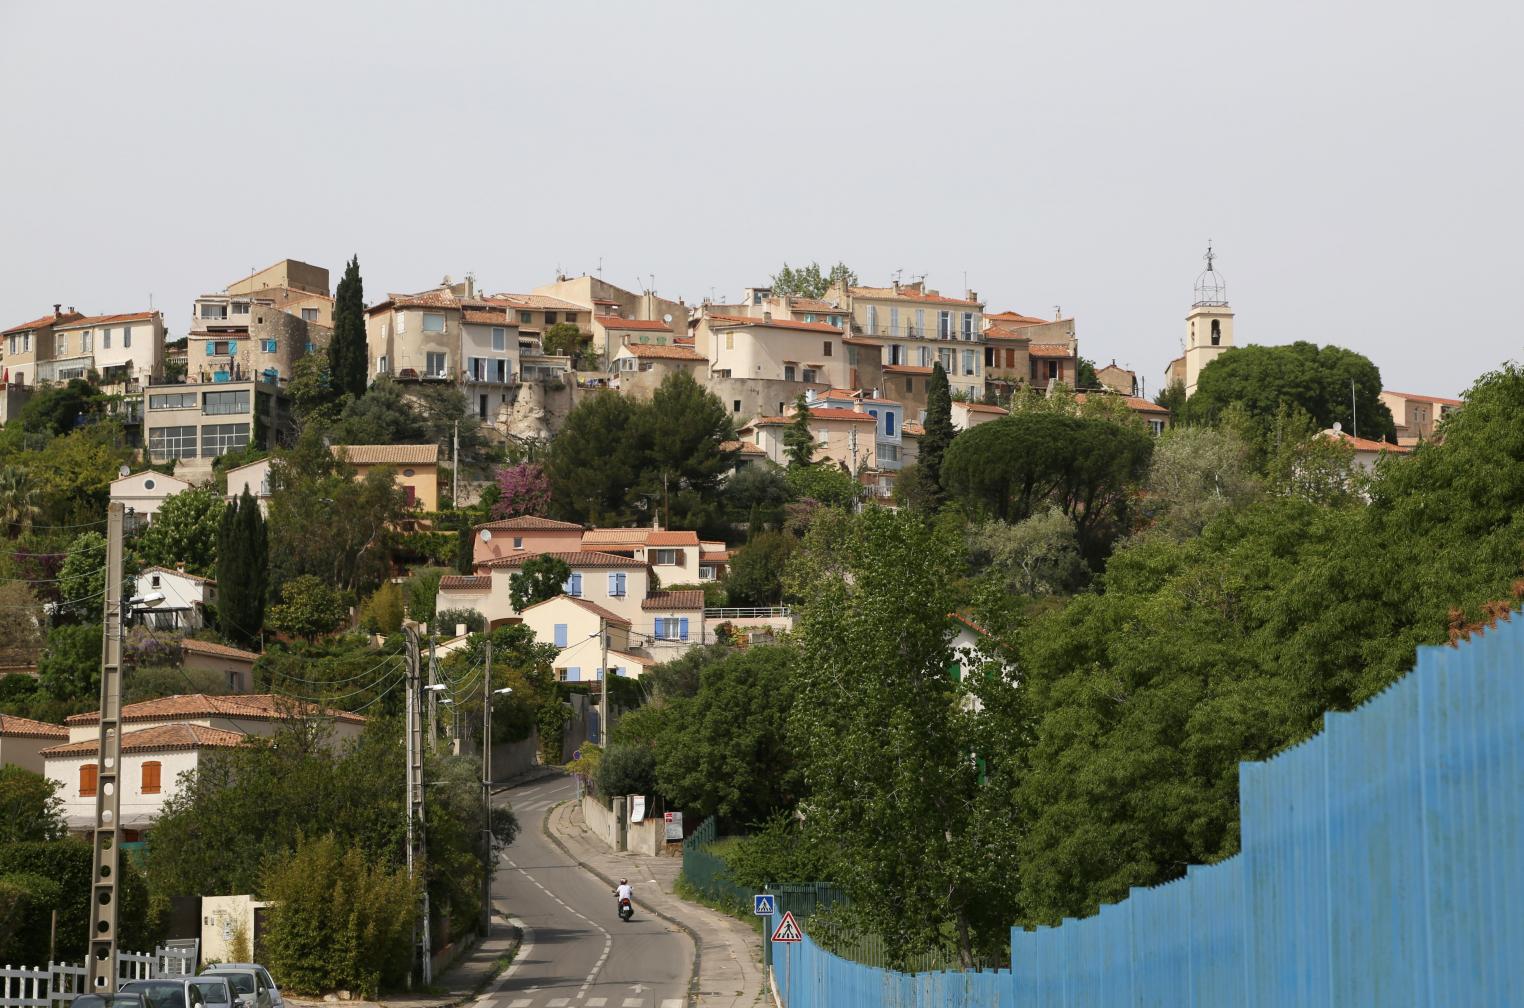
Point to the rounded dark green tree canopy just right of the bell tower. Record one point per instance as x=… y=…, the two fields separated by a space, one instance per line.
x=1316 y=380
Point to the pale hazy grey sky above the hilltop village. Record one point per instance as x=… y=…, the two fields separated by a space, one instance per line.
x=1357 y=165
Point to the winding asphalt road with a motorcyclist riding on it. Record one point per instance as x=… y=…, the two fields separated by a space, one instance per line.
x=577 y=952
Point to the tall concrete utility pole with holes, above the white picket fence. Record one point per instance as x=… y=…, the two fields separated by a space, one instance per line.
x=101 y=961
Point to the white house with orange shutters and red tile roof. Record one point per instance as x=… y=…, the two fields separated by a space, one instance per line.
x=165 y=739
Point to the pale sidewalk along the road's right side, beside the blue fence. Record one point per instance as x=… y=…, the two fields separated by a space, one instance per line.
x=728 y=954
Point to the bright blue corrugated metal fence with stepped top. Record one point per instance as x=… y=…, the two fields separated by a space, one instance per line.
x=1383 y=864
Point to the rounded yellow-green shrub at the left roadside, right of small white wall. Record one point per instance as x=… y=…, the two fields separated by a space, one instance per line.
x=338 y=922
